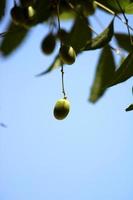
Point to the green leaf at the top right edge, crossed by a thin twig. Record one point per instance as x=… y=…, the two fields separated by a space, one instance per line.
x=112 y=4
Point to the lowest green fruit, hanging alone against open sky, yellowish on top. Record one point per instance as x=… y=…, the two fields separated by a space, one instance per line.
x=61 y=109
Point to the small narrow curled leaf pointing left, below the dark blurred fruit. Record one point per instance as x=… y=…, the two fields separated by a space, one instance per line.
x=56 y=63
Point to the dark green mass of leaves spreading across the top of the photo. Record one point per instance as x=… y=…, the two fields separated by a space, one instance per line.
x=80 y=35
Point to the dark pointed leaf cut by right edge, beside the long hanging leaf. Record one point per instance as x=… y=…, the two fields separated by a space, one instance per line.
x=124 y=72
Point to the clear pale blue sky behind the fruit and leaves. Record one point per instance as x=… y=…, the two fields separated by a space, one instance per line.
x=86 y=156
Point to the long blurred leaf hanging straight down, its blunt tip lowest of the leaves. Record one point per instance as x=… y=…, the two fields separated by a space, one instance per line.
x=104 y=72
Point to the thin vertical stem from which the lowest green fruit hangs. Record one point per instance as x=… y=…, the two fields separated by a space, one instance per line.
x=62 y=66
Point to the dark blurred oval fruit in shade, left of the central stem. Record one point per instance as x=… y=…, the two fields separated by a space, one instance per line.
x=48 y=44
